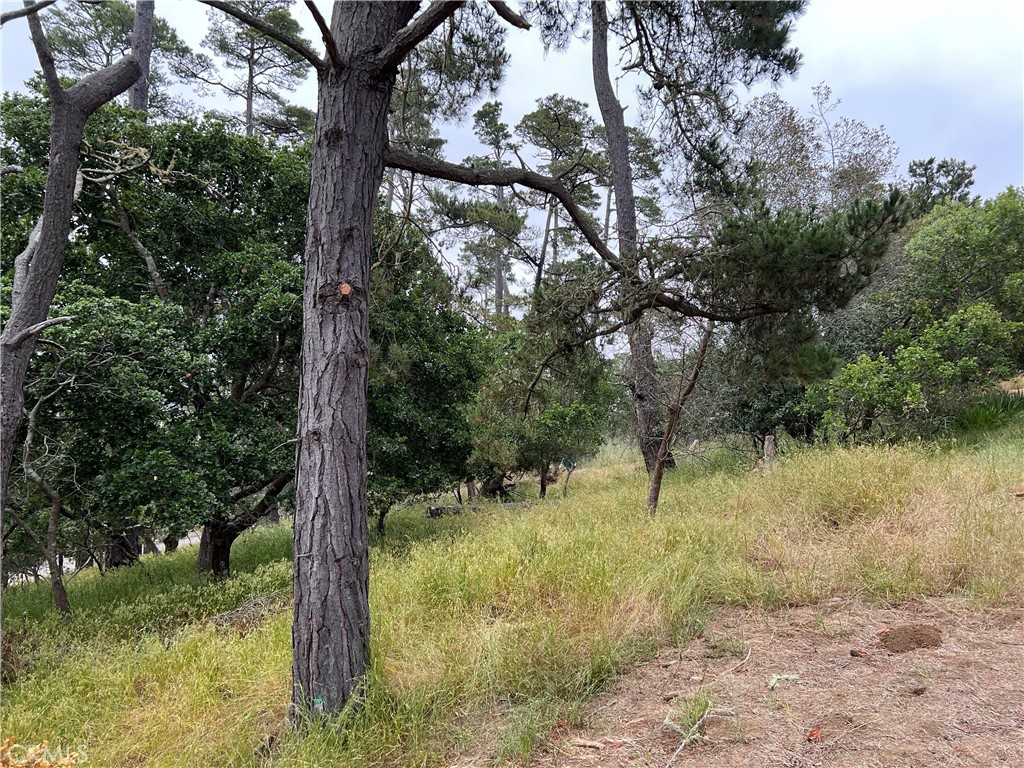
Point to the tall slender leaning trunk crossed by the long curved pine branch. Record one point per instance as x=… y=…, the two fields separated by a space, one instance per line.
x=645 y=383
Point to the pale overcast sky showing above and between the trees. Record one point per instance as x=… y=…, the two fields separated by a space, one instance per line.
x=946 y=78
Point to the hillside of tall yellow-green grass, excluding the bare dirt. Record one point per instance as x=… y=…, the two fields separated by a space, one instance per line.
x=491 y=628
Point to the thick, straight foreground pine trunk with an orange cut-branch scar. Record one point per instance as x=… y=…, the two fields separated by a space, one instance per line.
x=331 y=629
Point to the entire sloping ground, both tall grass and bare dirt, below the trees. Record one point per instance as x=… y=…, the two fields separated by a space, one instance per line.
x=494 y=630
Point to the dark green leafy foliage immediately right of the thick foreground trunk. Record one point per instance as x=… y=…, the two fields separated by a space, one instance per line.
x=426 y=362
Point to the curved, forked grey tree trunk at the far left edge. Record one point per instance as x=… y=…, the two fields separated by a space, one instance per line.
x=37 y=268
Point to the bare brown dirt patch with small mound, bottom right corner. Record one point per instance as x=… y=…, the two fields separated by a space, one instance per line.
x=818 y=687
